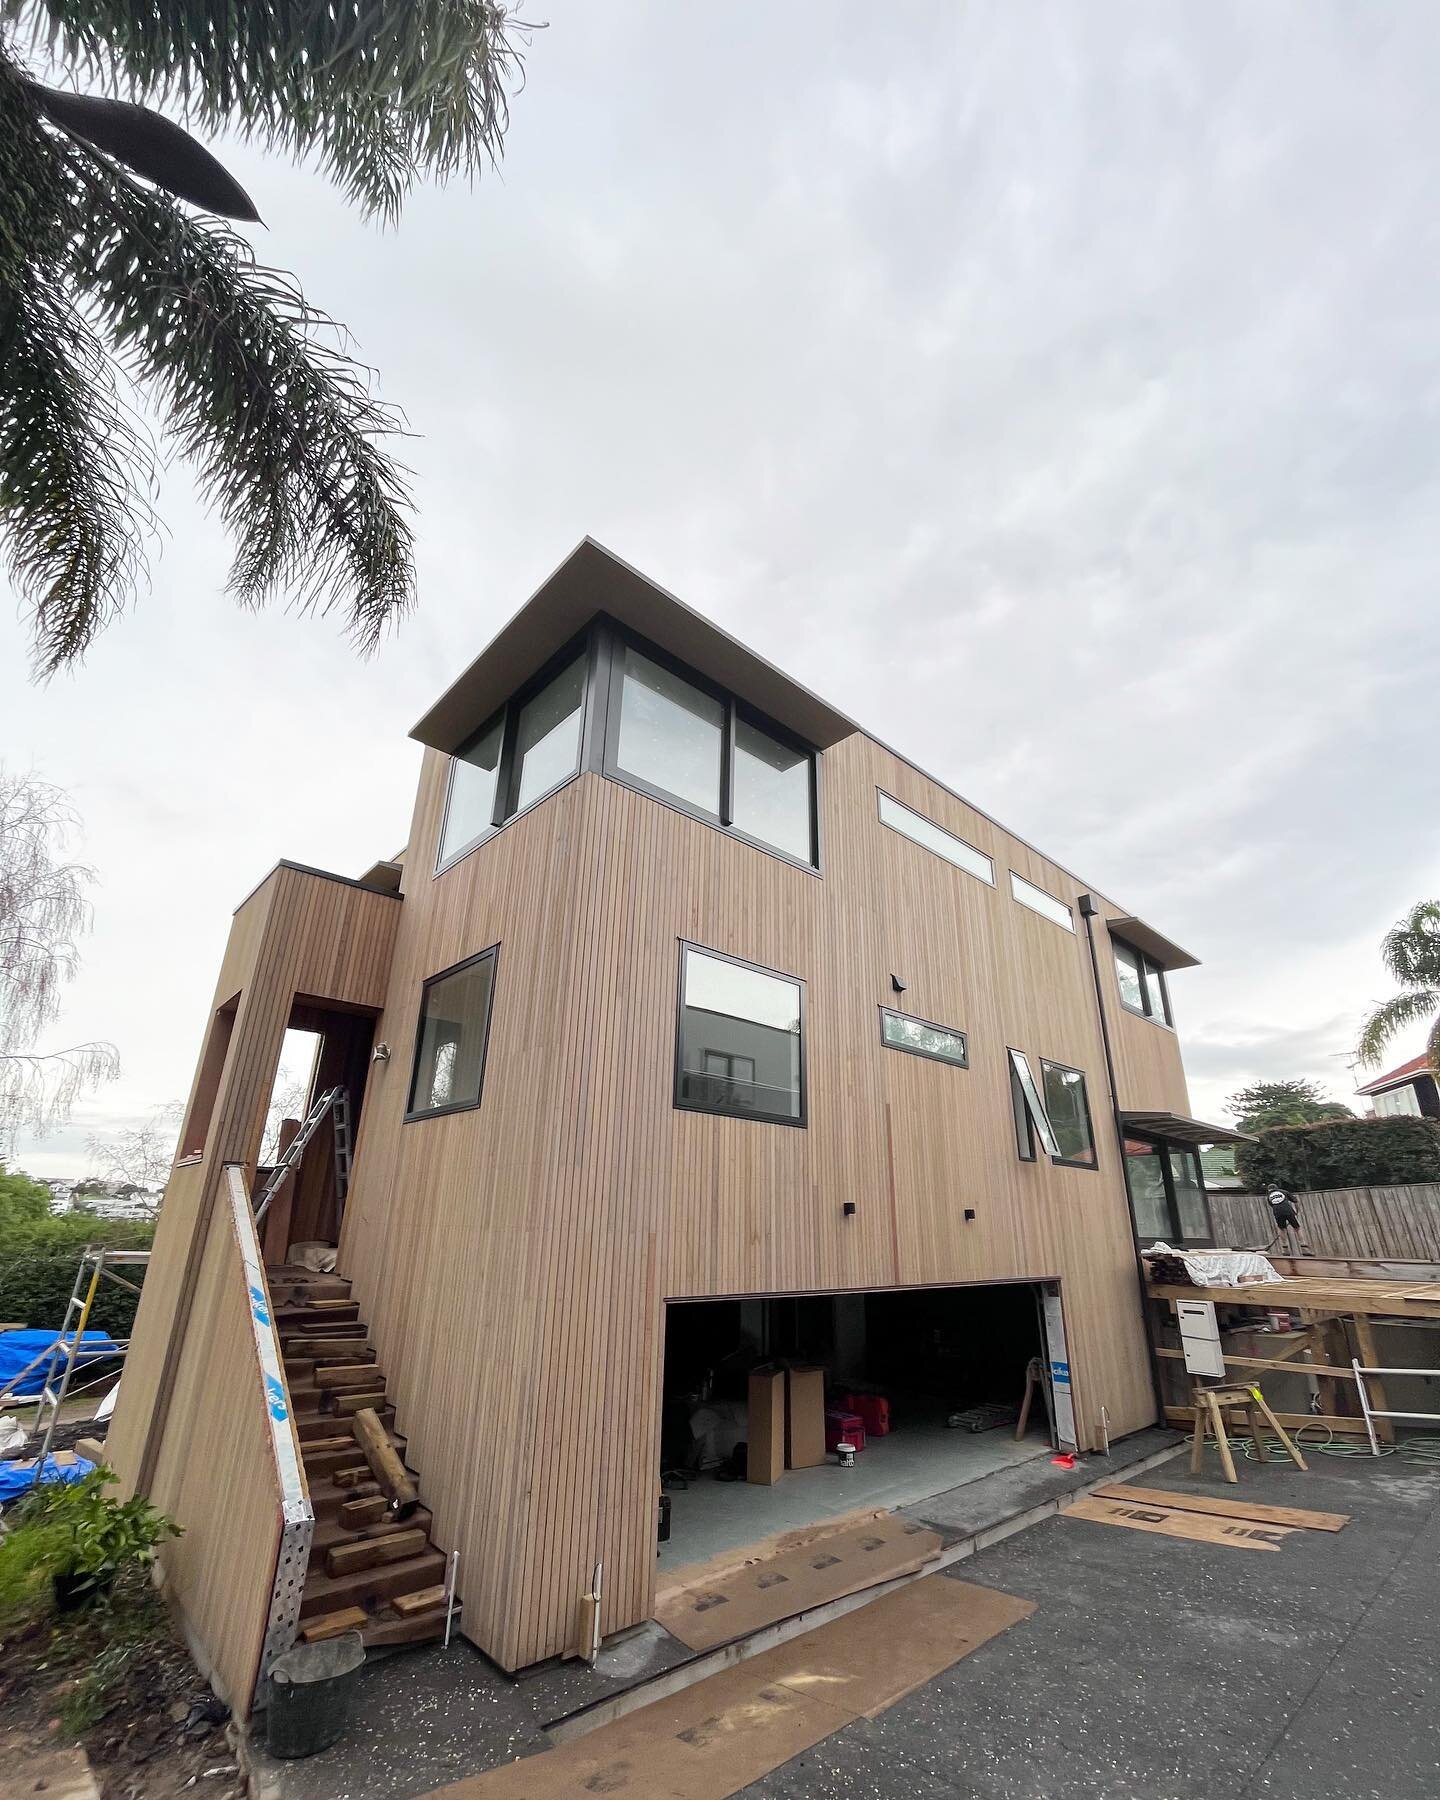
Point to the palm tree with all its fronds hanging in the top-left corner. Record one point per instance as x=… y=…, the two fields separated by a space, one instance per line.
x=114 y=287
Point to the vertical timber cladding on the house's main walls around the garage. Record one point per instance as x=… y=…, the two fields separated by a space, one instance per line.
x=514 y=1261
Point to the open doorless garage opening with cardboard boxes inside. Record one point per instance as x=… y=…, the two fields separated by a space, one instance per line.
x=926 y=1387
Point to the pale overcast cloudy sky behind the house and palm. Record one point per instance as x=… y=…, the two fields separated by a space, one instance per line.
x=1052 y=388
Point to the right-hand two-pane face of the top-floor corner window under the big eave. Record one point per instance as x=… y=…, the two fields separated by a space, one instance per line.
x=690 y=744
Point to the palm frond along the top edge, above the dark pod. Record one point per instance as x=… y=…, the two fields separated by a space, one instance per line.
x=379 y=93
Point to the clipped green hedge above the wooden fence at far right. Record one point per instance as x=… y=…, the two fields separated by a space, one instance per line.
x=1342 y=1155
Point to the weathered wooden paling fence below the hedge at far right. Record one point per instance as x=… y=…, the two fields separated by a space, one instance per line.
x=1399 y=1225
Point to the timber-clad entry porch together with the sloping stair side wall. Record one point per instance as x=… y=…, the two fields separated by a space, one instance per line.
x=190 y=1425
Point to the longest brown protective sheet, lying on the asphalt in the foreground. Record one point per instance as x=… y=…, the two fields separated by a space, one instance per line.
x=726 y=1732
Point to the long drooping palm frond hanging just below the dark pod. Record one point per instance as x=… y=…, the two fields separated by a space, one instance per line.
x=262 y=399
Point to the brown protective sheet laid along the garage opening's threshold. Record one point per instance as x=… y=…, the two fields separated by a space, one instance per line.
x=780 y=1587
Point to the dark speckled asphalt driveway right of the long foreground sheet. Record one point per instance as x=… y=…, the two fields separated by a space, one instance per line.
x=1156 y=1669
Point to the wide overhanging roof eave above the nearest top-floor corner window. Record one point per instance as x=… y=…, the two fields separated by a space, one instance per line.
x=595 y=580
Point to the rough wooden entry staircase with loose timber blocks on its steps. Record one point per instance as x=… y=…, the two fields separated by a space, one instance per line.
x=368 y=1572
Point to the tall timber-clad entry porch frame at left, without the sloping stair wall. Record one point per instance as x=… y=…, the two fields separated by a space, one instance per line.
x=298 y=933
